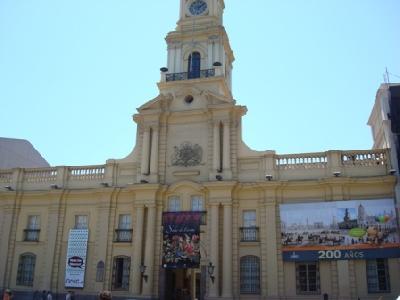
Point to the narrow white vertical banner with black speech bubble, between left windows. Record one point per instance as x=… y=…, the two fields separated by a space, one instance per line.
x=76 y=258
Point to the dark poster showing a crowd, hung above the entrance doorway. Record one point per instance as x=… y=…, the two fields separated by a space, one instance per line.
x=181 y=243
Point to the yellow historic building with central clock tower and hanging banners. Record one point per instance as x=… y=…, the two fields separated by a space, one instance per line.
x=193 y=213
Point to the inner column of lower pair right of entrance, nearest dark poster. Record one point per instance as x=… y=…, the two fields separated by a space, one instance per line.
x=213 y=287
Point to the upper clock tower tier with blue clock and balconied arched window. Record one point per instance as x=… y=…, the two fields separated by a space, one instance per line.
x=199 y=47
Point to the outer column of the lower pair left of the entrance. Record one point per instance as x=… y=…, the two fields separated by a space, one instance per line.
x=137 y=252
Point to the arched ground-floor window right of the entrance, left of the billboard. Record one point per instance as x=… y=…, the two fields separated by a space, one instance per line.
x=250 y=275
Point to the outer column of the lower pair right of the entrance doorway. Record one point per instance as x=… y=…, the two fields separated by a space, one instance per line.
x=227 y=257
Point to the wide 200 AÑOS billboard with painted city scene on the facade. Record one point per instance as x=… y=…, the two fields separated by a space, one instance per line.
x=353 y=229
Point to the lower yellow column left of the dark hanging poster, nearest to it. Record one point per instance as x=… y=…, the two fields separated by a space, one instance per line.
x=149 y=251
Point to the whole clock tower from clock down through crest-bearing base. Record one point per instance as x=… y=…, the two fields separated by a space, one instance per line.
x=189 y=131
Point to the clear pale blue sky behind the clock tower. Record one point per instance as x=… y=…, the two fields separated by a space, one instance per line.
x=73 y=72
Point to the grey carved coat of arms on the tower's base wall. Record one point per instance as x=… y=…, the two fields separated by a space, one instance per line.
x=187 y=155
